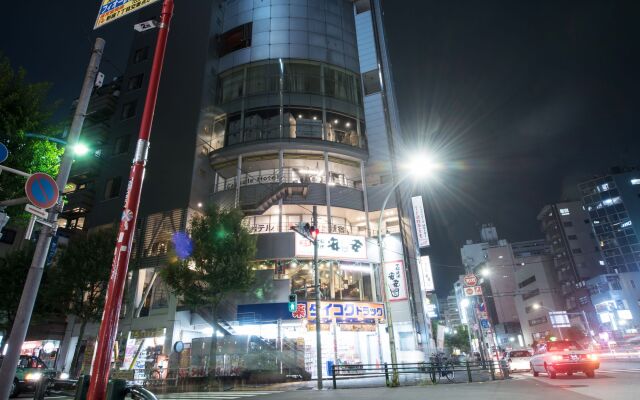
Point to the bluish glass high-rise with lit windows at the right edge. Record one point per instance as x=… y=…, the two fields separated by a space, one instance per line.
x=611 y=202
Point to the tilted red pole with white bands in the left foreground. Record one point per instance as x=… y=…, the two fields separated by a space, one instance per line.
x=109 y=326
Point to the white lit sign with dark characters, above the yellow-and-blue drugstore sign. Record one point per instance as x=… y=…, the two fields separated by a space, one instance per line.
x=333 y=246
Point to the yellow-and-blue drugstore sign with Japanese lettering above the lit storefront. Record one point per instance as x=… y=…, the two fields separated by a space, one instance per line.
x=347 y=311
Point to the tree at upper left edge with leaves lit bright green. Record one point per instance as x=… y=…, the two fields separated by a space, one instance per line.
x=24 y=108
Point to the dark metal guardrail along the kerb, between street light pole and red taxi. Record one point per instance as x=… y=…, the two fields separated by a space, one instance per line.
x=436 y=372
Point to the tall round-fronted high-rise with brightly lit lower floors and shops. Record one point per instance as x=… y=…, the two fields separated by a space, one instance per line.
x=273 y=108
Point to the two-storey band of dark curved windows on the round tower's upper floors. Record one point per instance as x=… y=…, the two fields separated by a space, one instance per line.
x=288 y=99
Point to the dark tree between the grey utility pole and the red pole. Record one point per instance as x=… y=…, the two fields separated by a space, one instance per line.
x=80 y=277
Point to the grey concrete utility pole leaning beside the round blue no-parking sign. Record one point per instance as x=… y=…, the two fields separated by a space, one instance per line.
x=30 y=292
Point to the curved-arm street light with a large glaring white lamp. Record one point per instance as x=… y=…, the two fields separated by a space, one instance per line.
x=419 y=167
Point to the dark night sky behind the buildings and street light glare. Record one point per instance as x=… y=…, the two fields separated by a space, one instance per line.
x=521 y=100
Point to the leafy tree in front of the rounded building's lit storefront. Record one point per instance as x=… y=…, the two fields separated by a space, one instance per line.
x=215 y=263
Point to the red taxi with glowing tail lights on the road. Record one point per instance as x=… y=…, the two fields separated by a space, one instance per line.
x=563 y=357
